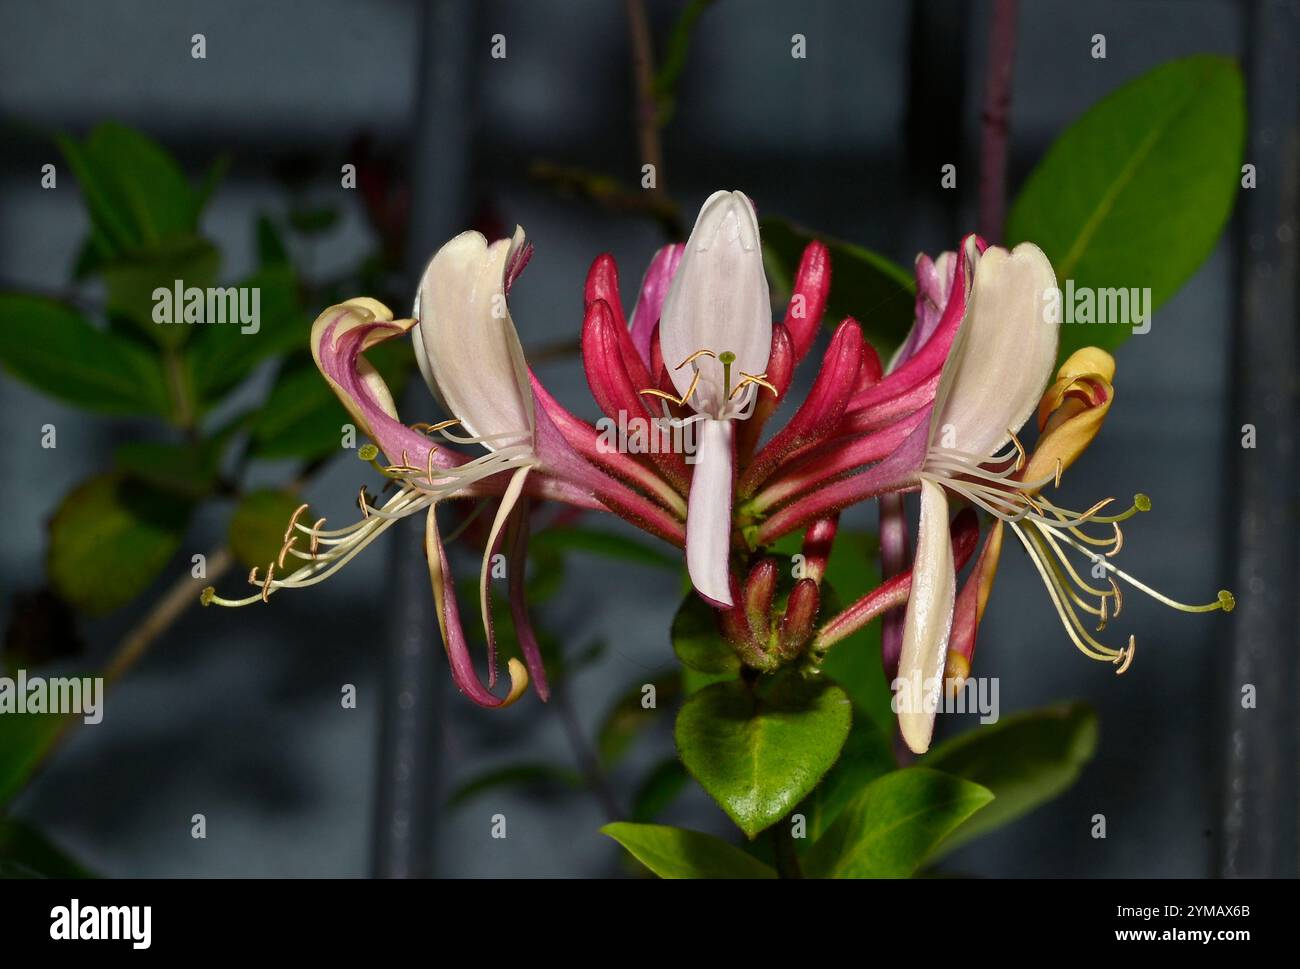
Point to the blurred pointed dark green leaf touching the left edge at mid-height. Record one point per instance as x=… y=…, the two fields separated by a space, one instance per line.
x=54 y=349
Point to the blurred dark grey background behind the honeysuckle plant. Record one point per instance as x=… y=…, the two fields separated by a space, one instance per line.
x=237 y=715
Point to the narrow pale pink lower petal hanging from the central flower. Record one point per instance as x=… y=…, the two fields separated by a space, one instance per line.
x=709 y=521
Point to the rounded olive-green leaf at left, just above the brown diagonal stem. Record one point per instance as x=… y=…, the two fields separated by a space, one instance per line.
x=110 y=539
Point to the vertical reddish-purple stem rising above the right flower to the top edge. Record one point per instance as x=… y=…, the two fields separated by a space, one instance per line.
x=994 y=123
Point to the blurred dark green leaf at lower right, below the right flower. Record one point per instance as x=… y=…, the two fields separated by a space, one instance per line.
x=1025 y=760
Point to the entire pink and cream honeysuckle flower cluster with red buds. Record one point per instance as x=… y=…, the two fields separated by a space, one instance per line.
x=703 y=353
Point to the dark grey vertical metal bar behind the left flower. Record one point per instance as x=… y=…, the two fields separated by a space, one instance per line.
x=406 y=802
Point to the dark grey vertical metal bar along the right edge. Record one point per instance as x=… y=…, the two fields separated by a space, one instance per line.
x=1263 y=756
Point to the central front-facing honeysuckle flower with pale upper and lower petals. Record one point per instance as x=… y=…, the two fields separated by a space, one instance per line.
x=717 y=334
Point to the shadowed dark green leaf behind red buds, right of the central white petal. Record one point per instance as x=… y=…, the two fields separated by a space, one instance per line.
x=874 y=291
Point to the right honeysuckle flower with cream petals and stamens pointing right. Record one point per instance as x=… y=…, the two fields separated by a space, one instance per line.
x=993 y=382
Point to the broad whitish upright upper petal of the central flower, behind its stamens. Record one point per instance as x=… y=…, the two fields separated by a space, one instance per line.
x=718 y=301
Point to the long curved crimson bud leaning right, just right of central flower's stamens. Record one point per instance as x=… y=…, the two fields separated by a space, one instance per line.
x=821 y=412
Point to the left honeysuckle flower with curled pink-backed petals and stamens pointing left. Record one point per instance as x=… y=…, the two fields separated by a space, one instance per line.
x=469 y=352
